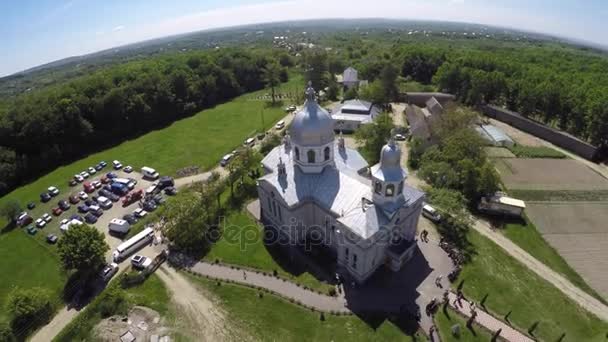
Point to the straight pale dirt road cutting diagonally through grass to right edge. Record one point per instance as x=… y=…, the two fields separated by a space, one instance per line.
x=573 y=292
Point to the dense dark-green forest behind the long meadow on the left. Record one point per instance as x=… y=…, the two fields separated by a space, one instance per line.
x=42 y=129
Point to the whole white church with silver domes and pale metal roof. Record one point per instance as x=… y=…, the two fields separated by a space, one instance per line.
x=316 y=189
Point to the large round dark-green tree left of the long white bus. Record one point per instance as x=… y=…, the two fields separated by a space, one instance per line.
x=82 y=248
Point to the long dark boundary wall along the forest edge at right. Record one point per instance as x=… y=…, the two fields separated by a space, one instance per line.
x=538 y=129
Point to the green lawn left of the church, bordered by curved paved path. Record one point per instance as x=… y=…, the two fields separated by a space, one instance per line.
x=242 y=244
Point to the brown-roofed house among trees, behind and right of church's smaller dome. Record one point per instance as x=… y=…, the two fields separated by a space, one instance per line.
x=421 y=120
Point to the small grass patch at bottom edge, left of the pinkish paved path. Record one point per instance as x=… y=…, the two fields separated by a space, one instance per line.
x=444 y=323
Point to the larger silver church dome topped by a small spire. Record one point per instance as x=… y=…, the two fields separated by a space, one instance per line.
x=312 y=126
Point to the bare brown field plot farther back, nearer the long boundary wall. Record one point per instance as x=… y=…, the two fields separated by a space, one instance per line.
x=548 y=174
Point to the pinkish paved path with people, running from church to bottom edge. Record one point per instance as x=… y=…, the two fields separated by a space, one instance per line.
x=488 y=321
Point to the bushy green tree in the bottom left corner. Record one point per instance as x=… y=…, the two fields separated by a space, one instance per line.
x=29 y=307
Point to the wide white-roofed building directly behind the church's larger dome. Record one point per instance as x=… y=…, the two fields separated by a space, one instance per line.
x=351 y=114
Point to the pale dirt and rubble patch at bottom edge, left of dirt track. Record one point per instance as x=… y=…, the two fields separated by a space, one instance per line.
x=141 y=322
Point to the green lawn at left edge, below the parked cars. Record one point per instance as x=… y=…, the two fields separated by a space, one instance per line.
x=26 y=263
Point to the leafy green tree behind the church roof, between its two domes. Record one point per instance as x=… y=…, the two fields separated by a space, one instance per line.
x=375 y=135
